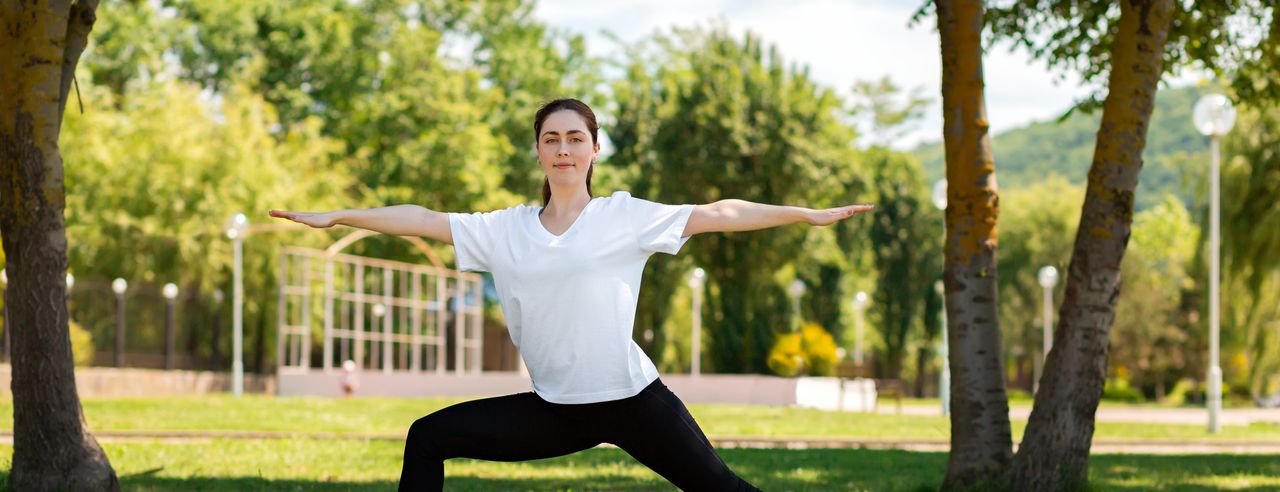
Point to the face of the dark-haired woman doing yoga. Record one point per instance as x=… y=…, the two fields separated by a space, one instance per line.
x=565 y=149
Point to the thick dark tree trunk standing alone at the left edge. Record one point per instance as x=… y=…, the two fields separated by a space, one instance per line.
x=40 y=44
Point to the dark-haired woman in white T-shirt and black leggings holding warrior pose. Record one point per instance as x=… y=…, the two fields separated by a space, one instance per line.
x=569 y=276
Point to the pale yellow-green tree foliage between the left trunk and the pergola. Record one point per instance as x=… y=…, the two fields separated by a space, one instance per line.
x=152 y=185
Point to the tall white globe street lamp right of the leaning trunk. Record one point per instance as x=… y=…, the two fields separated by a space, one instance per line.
x=1214 y=117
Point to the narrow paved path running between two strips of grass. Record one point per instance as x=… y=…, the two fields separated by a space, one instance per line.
x=1100 y=447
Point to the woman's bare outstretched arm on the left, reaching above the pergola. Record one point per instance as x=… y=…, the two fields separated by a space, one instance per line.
x=396 y=221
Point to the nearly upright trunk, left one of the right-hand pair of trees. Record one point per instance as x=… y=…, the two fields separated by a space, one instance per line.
x=981 y=443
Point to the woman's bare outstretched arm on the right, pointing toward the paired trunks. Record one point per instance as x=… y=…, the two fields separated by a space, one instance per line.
x=734 y=216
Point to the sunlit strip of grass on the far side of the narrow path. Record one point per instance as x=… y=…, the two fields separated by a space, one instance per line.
x=395 y=416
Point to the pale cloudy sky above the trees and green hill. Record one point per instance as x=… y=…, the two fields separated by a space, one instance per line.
x=842 y=43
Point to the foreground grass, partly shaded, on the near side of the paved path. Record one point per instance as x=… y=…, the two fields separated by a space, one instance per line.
x=374 y=466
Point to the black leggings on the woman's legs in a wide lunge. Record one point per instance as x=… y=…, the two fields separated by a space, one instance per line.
x=653 y=427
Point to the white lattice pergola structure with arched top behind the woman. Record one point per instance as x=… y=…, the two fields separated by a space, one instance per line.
x=388 y=317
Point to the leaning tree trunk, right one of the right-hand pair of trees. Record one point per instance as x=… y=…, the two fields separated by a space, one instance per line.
x=1055 y=450
